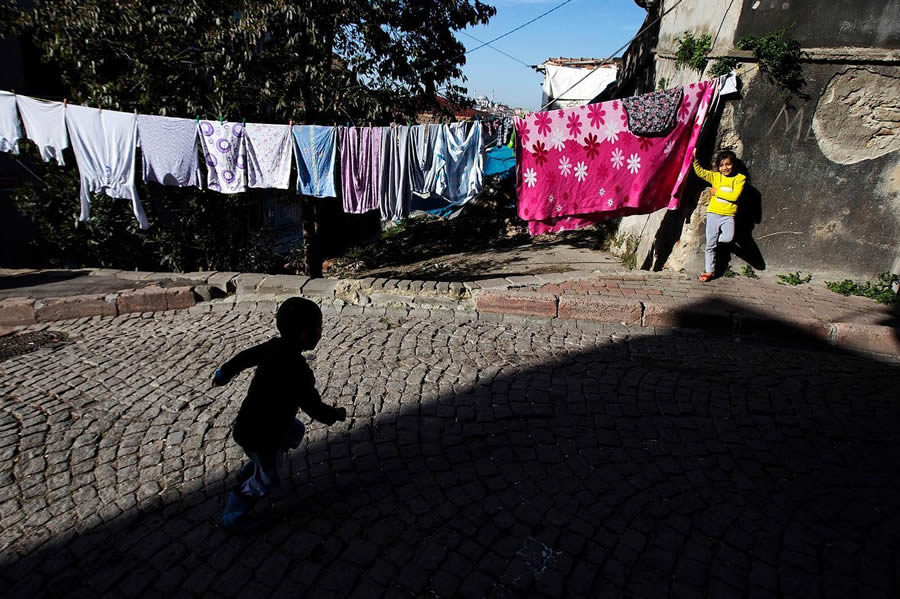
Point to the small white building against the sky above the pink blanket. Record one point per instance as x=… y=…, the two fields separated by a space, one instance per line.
x=575 y=81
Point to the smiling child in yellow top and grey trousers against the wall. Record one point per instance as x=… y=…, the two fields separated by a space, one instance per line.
x=727 y=187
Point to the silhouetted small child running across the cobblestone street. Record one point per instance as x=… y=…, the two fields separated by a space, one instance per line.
x=266 y=426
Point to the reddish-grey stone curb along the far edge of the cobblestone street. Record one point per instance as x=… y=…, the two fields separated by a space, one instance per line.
x=501 y=299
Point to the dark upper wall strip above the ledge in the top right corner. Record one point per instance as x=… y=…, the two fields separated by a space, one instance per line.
x=835 y=23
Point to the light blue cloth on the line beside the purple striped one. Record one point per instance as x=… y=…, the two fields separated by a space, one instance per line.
x=316 y=149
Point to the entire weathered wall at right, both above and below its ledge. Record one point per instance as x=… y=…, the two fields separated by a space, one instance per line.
x=825 y=173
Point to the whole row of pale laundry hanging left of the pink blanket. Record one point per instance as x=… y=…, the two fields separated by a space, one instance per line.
x=380 y=168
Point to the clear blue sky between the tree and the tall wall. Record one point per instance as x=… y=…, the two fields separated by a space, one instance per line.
x=581 y=28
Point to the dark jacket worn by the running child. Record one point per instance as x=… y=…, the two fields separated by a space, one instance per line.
x=282 y=384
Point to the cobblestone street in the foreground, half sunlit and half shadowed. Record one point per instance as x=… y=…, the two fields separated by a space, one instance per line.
x=481 y=460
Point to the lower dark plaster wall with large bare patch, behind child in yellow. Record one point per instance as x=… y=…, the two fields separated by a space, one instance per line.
x=834 y=211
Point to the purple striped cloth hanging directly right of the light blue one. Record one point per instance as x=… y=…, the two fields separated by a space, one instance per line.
x=361 y=168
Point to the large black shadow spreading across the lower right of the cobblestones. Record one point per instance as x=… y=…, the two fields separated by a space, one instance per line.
x=664 y=465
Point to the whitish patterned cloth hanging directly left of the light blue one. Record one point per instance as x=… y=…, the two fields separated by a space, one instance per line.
x=269 y=155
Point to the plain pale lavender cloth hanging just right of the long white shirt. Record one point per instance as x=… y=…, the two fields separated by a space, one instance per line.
x=169 y=150
